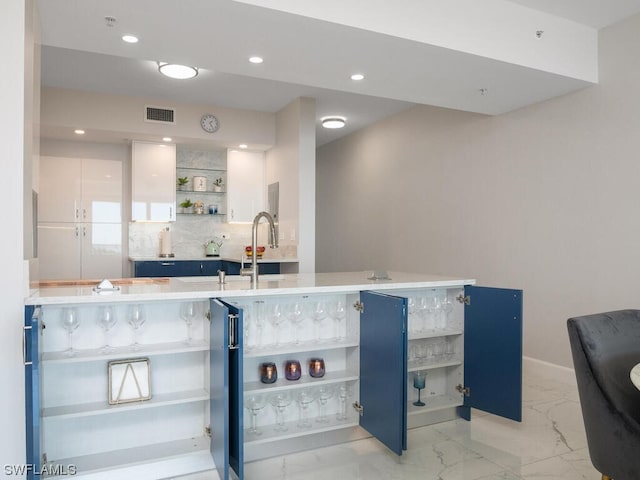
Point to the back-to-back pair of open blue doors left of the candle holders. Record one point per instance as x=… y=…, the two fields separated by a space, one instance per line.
x=226 y=400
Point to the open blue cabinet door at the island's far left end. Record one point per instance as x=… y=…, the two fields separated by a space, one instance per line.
x=32 y=387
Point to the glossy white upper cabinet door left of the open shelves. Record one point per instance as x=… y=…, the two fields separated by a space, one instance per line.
x=153 y=182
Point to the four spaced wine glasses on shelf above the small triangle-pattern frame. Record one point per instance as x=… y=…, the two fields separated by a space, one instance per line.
x=107 y=320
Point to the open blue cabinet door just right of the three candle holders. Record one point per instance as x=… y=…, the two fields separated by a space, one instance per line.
x=383 y=369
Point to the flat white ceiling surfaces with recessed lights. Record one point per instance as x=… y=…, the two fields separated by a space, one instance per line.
x=303 y=57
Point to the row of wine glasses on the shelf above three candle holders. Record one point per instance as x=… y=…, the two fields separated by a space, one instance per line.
x=295 y=314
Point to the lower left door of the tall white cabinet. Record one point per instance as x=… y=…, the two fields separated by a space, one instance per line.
x=59 y=251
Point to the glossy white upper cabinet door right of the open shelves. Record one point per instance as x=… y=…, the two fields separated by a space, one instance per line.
x=245 y=178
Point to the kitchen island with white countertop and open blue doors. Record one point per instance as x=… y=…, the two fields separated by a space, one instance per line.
x=347 y=349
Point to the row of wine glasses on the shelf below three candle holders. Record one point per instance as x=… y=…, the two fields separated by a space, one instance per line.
x=303 y=398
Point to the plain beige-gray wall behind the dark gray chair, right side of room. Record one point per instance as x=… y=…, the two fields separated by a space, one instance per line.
x=545 y=198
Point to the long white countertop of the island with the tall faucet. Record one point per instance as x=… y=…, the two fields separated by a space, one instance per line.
x=177 y=288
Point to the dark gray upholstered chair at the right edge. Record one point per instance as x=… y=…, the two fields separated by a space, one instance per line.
x=605 y=348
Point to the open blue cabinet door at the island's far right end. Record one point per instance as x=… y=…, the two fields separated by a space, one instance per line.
x=493 y=351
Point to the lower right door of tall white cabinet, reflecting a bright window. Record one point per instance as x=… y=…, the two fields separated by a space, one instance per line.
x=101 y=250
